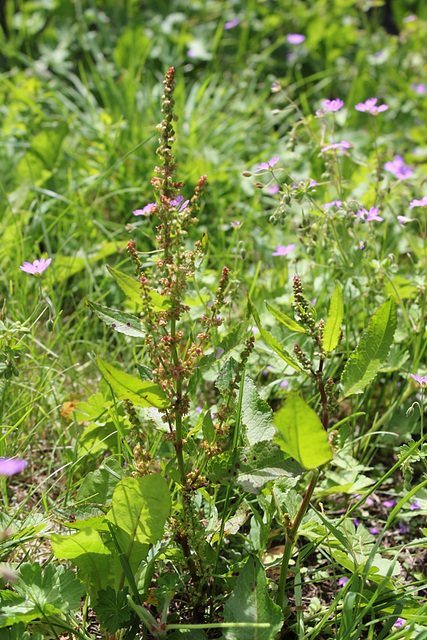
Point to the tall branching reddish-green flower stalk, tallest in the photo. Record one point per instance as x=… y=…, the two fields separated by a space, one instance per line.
x=171 y=351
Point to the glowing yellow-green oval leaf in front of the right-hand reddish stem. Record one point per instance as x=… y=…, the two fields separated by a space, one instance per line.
x=301 y=434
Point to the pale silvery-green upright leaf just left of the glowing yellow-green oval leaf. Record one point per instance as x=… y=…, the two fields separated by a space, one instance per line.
x=257 y=415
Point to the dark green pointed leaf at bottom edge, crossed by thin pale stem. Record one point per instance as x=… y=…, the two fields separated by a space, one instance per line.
x=251 y=603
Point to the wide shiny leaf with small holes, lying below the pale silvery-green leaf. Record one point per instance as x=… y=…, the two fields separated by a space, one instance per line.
x=252 y=467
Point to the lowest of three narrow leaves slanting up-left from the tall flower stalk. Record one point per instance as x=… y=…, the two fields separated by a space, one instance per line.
x=142 y=393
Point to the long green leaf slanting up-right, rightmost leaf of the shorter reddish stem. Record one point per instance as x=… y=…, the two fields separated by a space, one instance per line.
x=372 y=350
